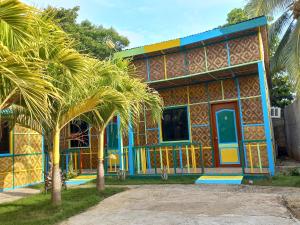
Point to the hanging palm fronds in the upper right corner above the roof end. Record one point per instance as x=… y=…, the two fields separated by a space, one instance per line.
x=287 y=26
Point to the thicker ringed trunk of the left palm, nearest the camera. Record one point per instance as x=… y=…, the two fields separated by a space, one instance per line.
x=56 y=178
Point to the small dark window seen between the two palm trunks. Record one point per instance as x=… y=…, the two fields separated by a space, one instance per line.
x=79 y=132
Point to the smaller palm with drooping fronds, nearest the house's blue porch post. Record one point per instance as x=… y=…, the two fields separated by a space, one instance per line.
x=138 y=96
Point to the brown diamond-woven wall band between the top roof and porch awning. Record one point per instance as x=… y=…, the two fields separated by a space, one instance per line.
x=192 y=61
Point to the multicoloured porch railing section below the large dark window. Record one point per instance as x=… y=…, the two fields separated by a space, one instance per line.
x=175 y=158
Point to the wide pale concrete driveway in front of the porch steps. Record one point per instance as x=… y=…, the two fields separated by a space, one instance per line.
x=192 y=204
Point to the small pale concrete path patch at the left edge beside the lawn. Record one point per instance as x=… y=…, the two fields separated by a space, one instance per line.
x=9 y=196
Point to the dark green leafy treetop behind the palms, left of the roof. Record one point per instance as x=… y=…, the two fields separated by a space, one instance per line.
x=91 y=39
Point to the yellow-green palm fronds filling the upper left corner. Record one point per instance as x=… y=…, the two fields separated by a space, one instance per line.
x=21 y=73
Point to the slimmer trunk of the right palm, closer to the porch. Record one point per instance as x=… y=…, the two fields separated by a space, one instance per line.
x=100 y=164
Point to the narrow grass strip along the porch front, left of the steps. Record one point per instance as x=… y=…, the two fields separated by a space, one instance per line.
x=112 y=180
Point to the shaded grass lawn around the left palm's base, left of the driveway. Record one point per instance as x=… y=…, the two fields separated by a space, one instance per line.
x=37 y=209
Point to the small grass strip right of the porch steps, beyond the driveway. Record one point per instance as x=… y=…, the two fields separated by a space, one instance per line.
x=279 y=180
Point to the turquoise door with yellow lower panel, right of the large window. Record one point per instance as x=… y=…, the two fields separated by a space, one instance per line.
x=227 y=137
